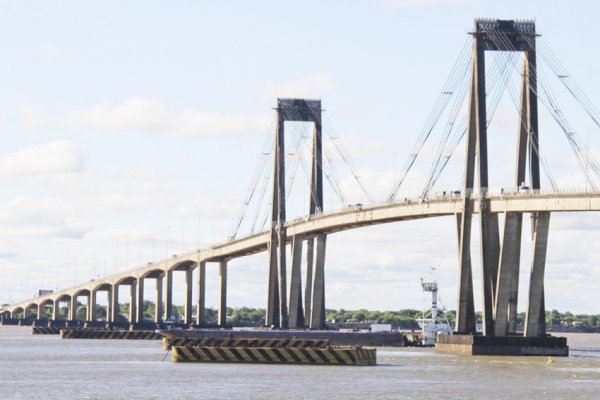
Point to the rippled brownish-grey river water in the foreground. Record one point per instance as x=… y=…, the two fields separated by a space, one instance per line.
x=46 y=367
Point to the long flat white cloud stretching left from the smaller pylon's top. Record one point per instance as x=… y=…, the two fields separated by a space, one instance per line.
x=146 y=115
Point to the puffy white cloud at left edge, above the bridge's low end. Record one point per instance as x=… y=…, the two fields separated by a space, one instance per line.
x=52 y=158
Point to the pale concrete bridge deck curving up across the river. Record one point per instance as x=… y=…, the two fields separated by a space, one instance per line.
x=351 y=217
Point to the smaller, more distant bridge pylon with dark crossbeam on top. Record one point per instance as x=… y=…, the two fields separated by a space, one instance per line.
x=313 y=311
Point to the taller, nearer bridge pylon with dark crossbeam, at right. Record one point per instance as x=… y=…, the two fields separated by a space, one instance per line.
x=500 y=260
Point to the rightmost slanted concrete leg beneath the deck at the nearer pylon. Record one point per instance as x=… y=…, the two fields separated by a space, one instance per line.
x=535 y=322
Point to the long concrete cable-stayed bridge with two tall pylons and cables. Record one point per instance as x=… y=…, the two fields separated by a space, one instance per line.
x=305 y=239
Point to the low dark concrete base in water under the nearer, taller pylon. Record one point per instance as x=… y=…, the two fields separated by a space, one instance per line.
x=473 y=345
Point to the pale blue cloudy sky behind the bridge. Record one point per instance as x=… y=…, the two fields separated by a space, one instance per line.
x=131 y=130
